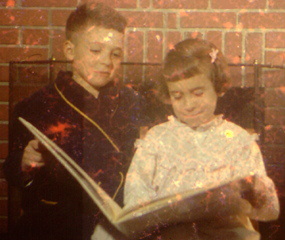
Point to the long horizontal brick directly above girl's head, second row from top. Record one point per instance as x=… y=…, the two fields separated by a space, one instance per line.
x=207 y=20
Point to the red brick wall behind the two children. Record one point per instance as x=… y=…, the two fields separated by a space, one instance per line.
x=245 y=30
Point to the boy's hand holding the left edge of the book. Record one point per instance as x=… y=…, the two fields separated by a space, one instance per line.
x=32 y=157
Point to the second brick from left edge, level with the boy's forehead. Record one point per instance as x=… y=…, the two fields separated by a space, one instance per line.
x=35 y=36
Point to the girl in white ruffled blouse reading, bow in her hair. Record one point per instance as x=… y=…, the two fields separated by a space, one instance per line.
x=196 y=148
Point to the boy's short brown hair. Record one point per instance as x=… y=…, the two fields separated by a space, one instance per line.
x=93 y=13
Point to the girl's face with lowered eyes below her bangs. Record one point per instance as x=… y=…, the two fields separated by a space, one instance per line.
x=193 y=100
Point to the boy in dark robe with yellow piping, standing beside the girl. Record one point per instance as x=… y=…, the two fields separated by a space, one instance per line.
x=89 y=116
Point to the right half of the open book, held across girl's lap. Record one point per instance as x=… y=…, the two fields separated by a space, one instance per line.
x=188 y=206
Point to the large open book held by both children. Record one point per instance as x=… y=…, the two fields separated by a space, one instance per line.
x=188 y=206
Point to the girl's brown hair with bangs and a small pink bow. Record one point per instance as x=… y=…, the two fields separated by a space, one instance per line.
x=192 y=57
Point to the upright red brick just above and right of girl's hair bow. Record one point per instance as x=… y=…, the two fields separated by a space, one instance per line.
x=233 y=47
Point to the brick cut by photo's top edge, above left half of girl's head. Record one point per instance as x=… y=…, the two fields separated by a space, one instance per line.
x=180 y=4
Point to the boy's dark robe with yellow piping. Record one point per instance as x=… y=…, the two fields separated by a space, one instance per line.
x=54 y=204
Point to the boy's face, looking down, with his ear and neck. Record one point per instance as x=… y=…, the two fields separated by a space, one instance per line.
x=96 y=53
